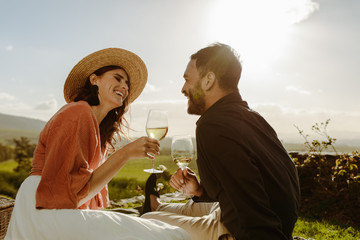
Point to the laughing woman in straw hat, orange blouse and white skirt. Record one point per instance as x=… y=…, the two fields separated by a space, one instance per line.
x=69 y=170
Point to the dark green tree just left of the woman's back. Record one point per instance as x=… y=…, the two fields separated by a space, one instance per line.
x=23 y=153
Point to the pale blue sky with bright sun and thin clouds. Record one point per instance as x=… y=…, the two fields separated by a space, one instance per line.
x=300 y=57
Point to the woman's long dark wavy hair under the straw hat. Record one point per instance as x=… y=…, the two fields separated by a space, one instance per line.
x=114 y=121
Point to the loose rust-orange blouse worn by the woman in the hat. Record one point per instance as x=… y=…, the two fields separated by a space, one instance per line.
x=68 y=151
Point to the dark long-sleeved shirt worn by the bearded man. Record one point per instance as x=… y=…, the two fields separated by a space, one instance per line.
x=243 y=166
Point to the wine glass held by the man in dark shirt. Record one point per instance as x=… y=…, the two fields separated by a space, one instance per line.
x=182 y=151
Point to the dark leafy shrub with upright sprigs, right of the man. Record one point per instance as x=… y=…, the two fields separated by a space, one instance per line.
x=330 y=185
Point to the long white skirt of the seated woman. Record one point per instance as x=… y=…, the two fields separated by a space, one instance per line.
x=27 y=222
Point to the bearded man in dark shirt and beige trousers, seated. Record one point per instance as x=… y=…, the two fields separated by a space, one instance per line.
x=243 y=167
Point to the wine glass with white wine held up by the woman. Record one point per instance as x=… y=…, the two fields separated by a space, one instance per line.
x=156 y=127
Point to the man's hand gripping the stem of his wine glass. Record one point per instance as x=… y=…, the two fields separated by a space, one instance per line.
x=186 y=181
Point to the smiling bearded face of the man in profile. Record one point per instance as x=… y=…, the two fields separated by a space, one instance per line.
x=192 y=89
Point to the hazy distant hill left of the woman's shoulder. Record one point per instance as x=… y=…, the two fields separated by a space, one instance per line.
x=16 y=127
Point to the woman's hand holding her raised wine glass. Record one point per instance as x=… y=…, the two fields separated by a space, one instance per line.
x=142 y=147
